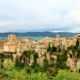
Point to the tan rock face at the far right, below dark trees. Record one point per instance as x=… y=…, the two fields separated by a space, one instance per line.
x=73 y=62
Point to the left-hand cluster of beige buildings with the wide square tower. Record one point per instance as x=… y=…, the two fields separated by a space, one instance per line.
x=17 y=45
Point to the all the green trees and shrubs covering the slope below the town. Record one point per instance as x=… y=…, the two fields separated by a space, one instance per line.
x=21 y=69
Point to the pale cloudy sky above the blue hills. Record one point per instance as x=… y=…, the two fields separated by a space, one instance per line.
x=40 y=15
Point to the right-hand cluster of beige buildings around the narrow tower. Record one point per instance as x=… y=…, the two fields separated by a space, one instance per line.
x=58 y=41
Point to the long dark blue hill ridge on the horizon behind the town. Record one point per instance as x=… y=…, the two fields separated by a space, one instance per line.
x=38 y=34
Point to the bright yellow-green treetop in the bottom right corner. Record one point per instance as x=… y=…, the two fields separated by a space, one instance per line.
x=66 y=75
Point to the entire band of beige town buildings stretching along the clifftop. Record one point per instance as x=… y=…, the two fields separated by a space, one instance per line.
x=12 y=44
